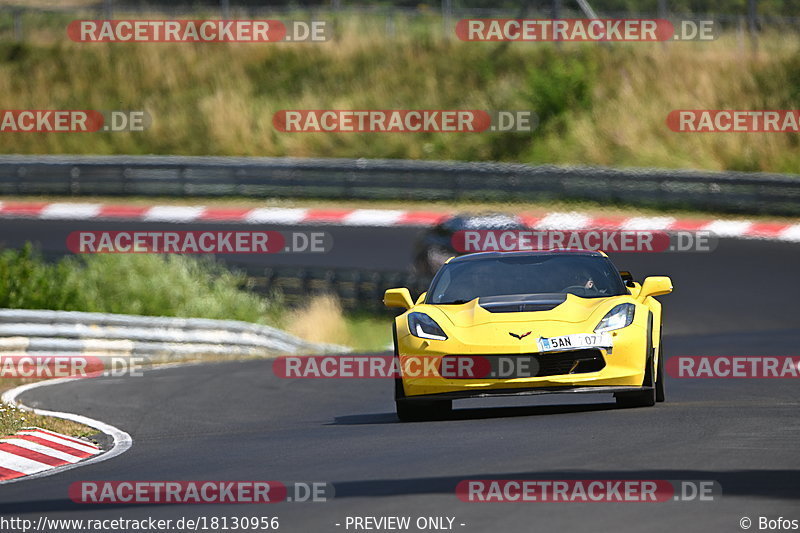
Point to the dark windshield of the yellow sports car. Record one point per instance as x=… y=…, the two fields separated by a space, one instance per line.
x=582 y=275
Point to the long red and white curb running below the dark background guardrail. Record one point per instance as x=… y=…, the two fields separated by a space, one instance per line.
x=785 y=231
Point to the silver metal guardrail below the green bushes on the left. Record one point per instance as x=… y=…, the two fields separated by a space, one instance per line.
x=152 y=338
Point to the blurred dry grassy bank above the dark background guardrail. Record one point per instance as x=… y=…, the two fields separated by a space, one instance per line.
x=219 y=99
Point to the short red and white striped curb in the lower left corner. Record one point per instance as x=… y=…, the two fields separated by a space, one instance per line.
x=34 y=450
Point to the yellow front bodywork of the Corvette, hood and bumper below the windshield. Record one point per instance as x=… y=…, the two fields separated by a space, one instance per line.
x=613 y=358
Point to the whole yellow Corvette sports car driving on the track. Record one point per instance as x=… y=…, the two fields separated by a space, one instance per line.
x=512 y=323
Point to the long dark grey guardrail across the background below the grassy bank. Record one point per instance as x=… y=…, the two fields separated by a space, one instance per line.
x=382 y=179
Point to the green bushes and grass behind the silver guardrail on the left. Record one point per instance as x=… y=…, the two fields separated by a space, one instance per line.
x=141 y=284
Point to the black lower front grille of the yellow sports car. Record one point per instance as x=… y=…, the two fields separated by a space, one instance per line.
x=508 y=366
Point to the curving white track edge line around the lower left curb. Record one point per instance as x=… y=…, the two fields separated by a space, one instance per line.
x=122 y=441
